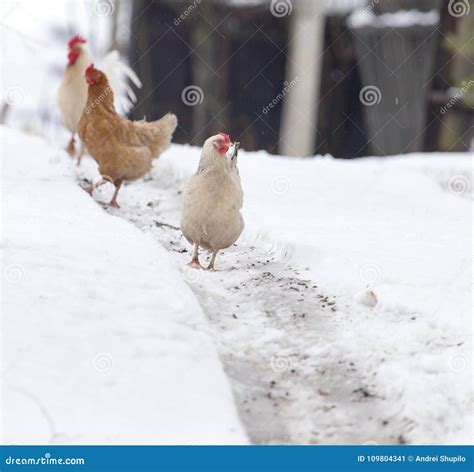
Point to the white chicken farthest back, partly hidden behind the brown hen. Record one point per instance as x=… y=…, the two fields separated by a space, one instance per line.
x=72 y=95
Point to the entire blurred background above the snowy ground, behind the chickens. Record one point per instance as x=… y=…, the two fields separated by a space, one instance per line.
x=348 y=78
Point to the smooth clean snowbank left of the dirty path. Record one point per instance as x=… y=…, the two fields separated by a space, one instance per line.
x=102 y=340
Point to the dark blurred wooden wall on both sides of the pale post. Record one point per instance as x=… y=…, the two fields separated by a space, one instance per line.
x=240 y=67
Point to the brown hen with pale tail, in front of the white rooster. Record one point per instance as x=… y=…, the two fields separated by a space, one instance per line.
x=123 y=149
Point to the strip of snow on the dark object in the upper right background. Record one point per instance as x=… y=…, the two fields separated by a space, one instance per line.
x=401 y=19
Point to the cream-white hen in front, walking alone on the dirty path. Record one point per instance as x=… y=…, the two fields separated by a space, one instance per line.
x=212 y=201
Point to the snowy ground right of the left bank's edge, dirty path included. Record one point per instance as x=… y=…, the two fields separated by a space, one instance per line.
x=342 y=315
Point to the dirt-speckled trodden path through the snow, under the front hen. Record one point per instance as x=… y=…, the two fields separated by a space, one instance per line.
x=277 y=333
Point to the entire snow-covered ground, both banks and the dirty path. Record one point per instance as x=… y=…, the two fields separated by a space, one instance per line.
x=342 y=315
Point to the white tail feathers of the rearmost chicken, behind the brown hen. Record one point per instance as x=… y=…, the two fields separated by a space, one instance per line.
x=119 y=75
